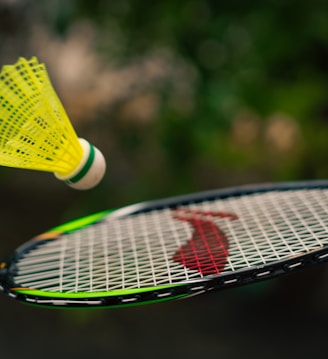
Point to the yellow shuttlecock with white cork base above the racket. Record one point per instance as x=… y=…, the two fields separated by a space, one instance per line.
x=35 y=131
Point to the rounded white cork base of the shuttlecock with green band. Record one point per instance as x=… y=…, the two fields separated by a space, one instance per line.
x=90 y=170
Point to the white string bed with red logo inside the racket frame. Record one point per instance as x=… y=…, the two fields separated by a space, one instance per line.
x=139 y=250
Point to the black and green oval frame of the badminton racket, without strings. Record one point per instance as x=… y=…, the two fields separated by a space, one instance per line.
x=119 y=298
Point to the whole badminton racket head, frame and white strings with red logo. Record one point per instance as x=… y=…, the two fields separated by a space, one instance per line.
x=173 y=248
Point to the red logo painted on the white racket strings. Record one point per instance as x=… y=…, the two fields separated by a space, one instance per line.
x=208 y=248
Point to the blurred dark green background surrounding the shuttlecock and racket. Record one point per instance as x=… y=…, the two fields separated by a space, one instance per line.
x=180 y=97
